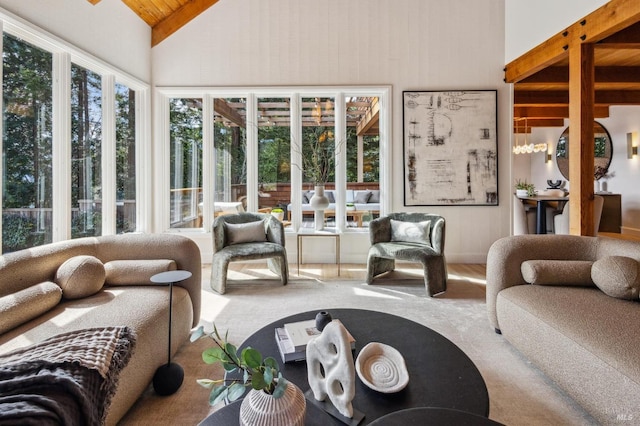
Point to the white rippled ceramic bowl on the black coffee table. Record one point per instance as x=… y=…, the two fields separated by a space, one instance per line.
x=382 y=368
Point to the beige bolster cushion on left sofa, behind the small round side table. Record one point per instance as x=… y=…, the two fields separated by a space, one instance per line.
x=135 y=272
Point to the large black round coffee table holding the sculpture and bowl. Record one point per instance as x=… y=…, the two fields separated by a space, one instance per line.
x=440 y=374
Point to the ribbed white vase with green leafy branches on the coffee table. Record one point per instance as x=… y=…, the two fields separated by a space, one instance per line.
x=261 y=375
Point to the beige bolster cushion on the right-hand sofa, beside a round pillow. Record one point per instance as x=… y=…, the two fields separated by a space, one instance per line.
x=557 y=272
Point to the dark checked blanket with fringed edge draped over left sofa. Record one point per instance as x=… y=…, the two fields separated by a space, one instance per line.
x=67 y=379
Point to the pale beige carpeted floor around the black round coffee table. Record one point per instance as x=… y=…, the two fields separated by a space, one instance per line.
x=519 y=393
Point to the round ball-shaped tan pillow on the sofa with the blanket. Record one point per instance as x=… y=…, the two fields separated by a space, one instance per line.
x=80 y=276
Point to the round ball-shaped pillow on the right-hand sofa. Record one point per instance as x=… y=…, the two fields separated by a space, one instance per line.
x=617 y=276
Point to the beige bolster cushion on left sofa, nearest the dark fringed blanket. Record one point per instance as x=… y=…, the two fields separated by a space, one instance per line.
x=24 y=305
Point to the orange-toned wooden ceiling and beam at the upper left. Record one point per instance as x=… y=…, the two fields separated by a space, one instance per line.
x=166 y=16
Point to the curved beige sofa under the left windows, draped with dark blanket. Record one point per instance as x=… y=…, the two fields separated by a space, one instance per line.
x=143 y=307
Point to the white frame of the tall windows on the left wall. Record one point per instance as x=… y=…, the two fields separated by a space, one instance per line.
x=64 y=54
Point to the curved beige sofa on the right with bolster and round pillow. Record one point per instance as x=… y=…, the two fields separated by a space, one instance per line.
x=584 y=339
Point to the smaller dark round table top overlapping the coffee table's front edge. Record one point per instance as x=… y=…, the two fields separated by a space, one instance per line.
x=425 y=416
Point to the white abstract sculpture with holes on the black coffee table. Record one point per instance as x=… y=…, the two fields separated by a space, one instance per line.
x=330 y=367
